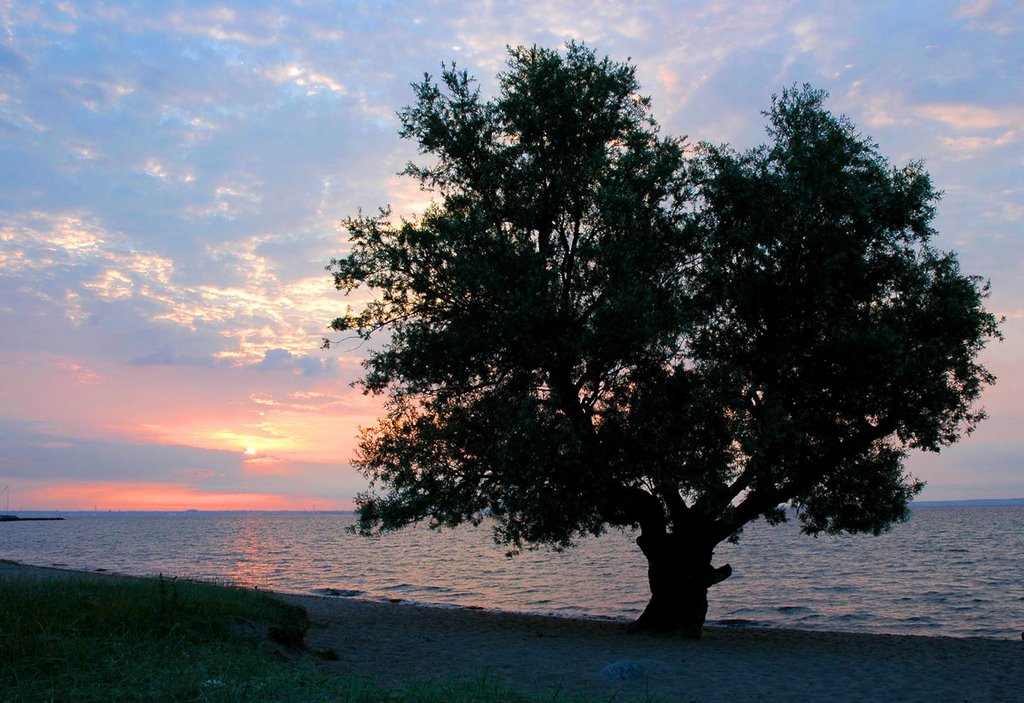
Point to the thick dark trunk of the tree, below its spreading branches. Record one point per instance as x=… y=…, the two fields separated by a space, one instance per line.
x=680 y=574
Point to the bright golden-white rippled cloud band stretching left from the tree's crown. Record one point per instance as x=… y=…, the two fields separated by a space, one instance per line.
x=74 y=262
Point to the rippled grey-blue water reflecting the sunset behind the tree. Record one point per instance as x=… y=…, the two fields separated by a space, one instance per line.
x=956 y=572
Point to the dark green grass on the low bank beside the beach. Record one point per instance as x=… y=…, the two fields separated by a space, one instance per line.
x=87 y=640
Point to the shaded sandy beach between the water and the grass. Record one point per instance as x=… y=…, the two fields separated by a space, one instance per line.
x=395 y=643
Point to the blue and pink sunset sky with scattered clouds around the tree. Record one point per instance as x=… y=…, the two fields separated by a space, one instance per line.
x=174 y=174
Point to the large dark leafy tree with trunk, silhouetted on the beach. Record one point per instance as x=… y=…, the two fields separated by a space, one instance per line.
x=598 y=327
